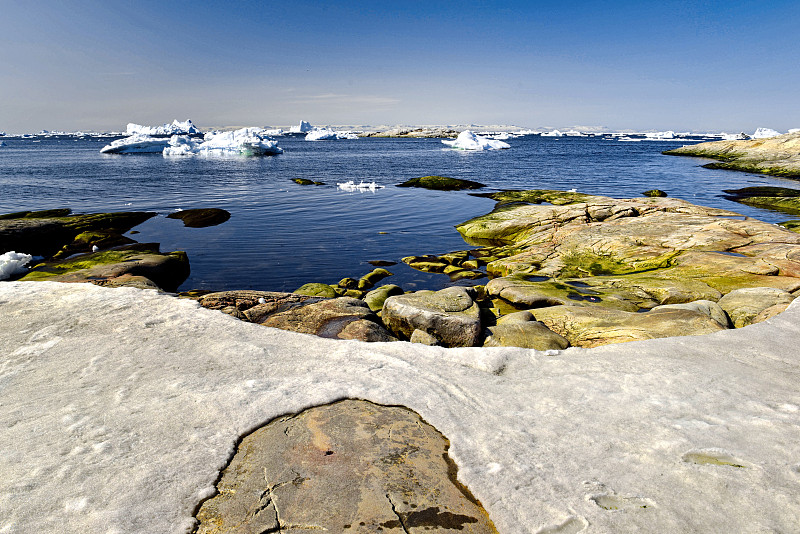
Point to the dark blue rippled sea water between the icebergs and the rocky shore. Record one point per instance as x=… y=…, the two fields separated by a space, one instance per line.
x=282 y=235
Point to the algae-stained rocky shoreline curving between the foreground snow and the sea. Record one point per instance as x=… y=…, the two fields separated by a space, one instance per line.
x=564 y=269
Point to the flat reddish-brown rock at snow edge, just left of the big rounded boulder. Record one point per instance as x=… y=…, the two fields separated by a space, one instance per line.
x=342 y=318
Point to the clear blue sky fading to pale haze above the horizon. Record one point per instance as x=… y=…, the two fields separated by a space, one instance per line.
x=676 y=65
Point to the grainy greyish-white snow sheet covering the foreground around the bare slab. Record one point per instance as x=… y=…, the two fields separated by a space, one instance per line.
x=120 y=406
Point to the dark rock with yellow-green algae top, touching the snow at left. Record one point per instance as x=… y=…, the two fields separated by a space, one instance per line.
x=122 y=266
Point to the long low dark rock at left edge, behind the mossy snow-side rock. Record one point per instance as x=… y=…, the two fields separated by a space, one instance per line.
x=44 y=233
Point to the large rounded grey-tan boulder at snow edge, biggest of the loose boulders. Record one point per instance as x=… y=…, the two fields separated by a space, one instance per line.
x=450 y=315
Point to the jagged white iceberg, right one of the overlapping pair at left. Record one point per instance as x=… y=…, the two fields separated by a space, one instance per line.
x=242 y=142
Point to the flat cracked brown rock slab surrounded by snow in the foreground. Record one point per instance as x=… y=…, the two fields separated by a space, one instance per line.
x=351 y=466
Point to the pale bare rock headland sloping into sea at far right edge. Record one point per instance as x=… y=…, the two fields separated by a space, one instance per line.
x=776 y=156
